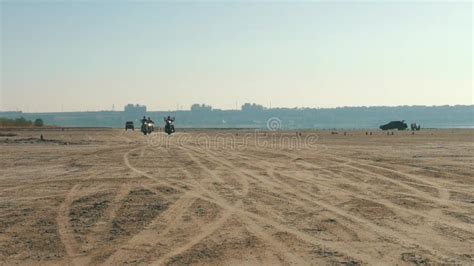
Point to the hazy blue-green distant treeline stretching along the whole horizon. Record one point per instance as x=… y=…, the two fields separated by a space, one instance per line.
x=256 y=116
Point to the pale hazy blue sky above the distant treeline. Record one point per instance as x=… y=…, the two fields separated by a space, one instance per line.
x=92 y=55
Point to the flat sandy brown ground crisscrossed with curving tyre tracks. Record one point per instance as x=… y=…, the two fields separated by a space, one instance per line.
x=106 y=196
